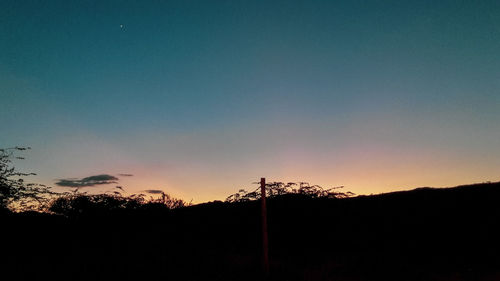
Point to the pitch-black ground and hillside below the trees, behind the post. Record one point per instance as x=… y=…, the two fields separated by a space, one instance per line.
x=424 y=234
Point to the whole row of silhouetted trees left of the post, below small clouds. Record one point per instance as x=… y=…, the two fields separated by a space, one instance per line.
x=19 y=195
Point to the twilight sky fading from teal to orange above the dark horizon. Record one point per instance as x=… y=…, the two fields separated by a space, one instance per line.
x=202 y=98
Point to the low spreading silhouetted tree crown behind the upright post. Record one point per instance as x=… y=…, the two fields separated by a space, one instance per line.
x=274 y=189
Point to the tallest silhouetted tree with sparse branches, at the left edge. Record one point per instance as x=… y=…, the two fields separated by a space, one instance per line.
x=15 y=193
